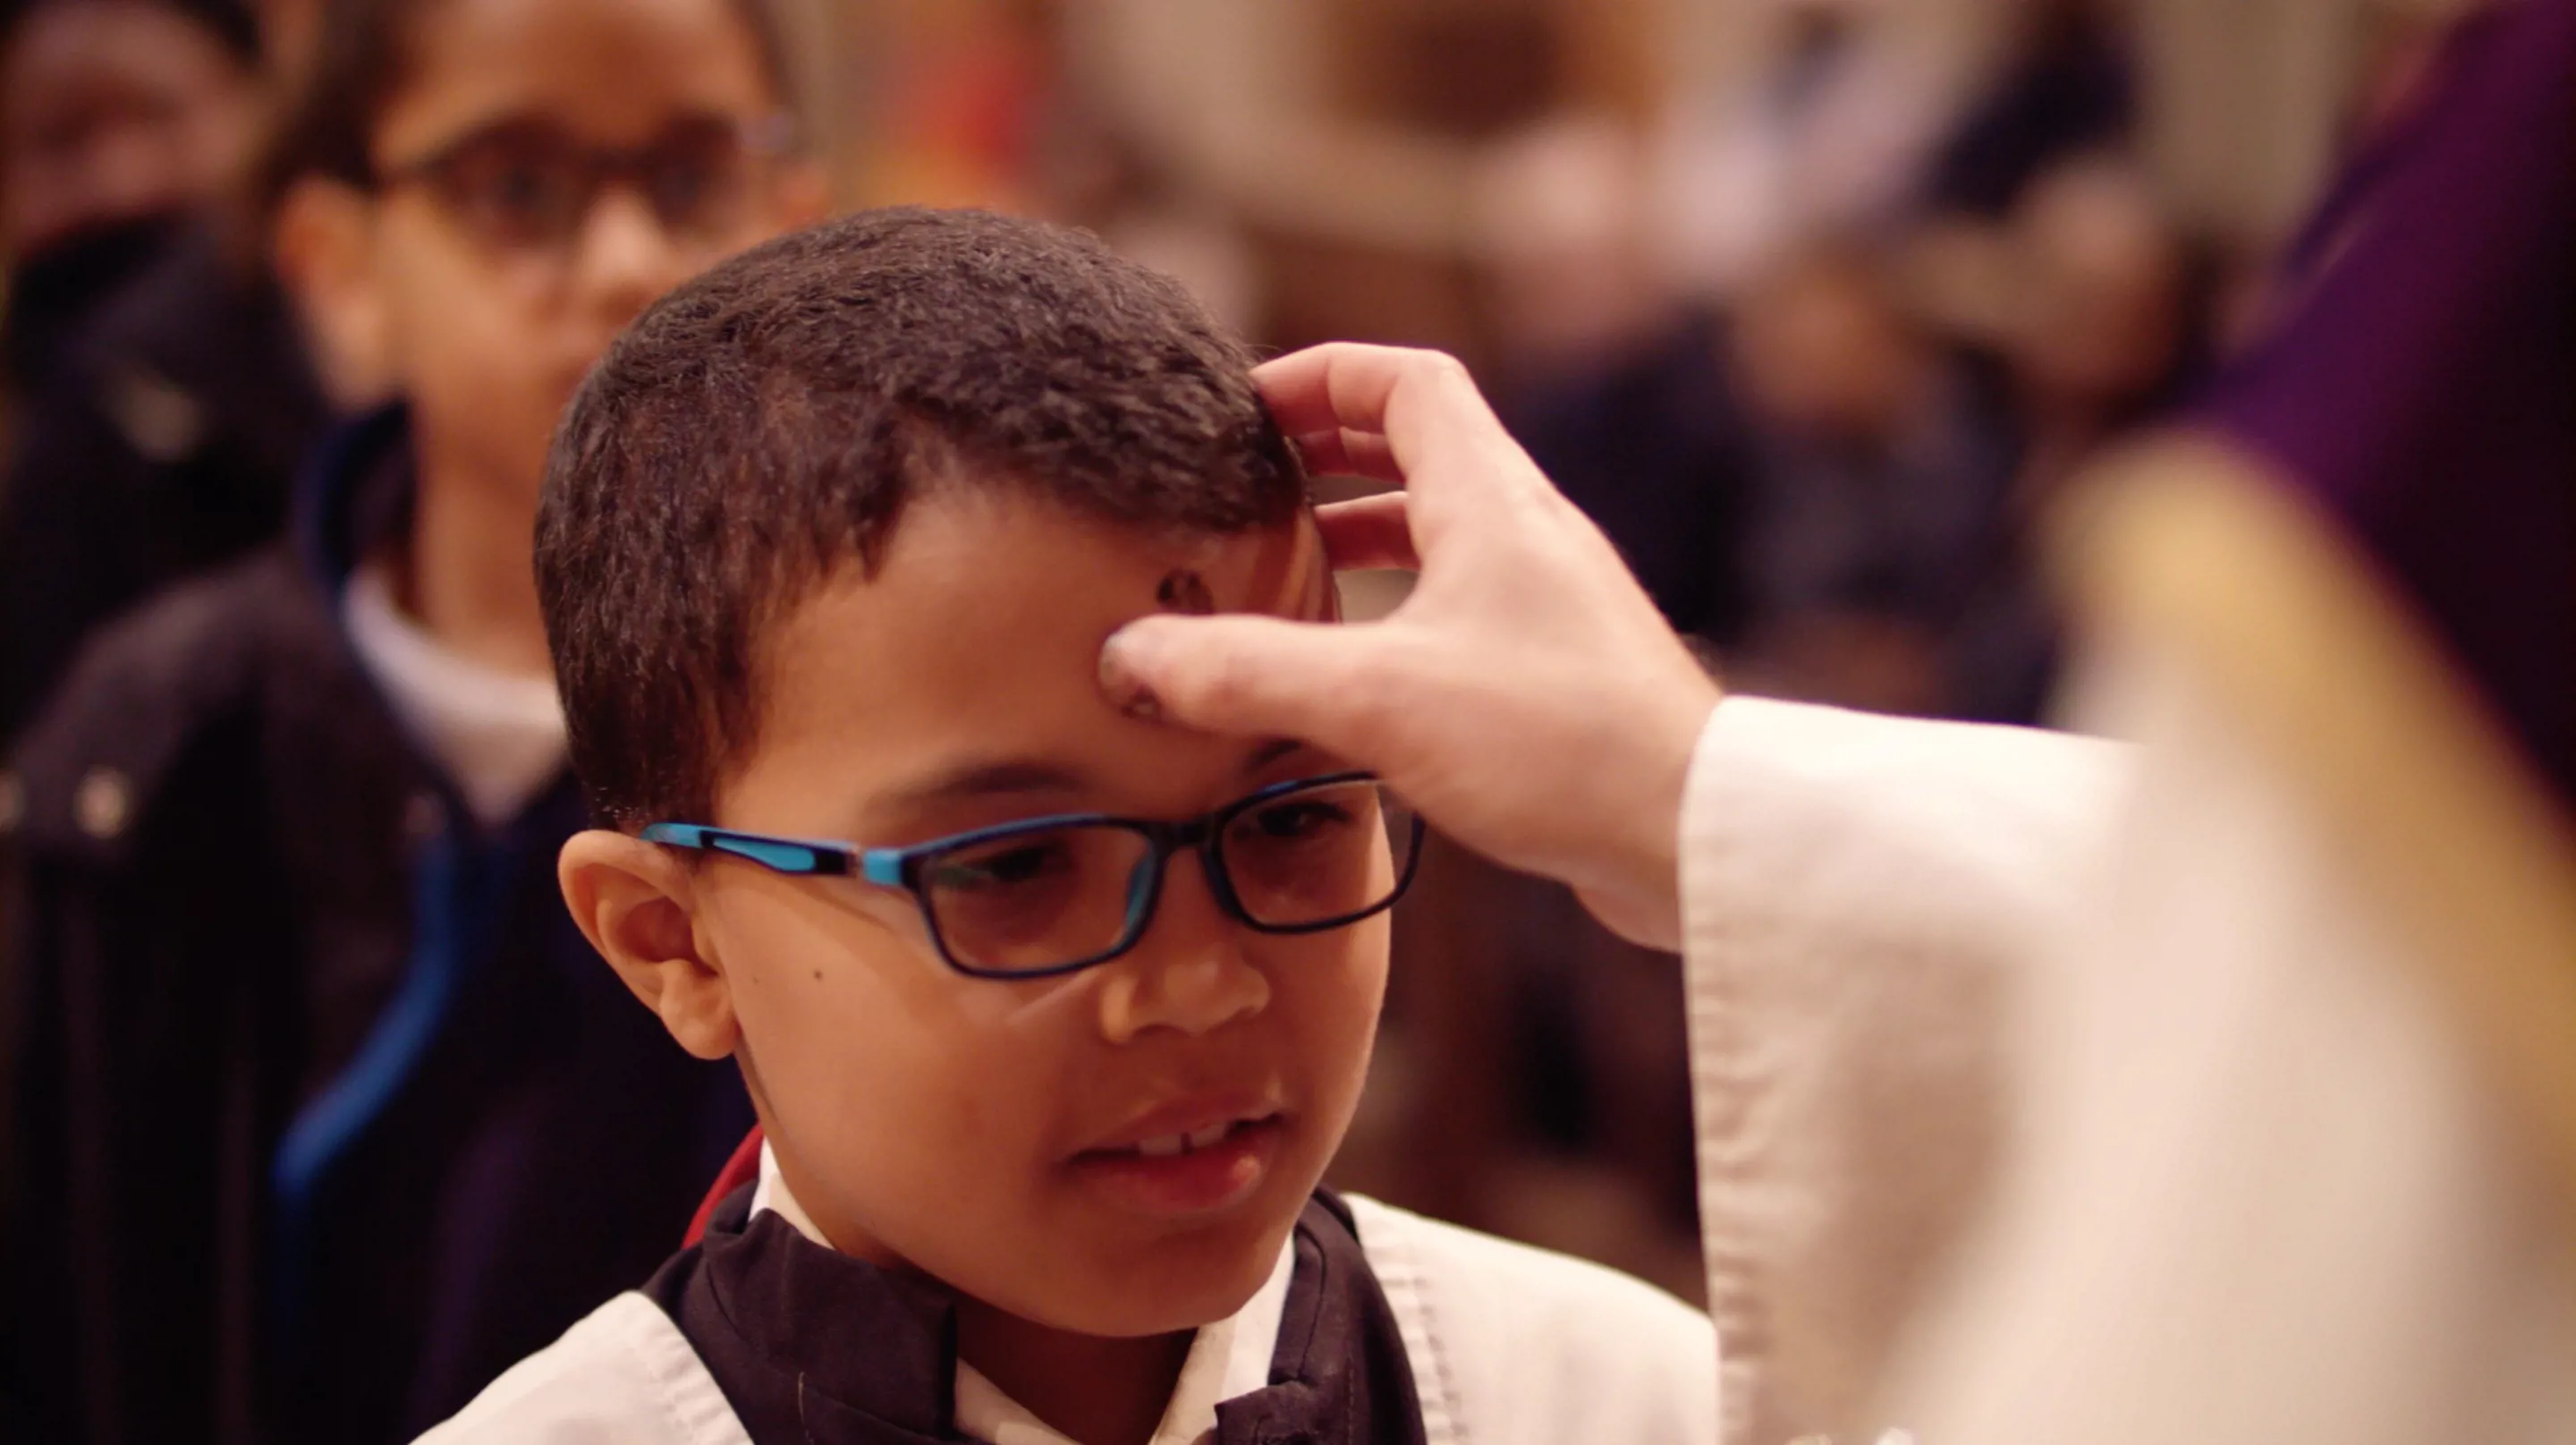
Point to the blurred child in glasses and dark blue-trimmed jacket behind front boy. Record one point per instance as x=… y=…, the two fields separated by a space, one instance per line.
x=323 y=1111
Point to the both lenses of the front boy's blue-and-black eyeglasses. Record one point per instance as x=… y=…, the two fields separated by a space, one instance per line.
x=1045 y=900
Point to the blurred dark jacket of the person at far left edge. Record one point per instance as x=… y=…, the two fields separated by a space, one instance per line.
x=158 y=447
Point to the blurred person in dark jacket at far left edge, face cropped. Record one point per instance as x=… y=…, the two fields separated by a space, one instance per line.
x=174 y=401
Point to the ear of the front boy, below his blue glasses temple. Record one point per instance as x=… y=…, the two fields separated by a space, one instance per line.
x=638 y=905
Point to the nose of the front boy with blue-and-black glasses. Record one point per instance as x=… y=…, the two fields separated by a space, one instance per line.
x=1189 y=970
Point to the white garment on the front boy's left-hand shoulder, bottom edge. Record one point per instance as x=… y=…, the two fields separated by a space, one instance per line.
x=625 y=1374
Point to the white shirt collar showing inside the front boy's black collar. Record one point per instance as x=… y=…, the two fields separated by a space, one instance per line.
x=1227 y=1359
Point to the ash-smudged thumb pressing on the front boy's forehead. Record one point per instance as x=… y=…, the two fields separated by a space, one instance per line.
x=1245 y=676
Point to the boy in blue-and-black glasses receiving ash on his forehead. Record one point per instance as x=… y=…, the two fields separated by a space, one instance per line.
x=1055 y=1052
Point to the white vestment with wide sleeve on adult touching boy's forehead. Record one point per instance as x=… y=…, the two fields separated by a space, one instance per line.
x=2062 y=1091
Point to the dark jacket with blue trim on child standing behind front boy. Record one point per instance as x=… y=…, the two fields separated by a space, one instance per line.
x=323 y=1111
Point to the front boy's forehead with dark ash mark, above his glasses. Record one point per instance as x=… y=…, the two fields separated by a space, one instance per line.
x=975 y=645
